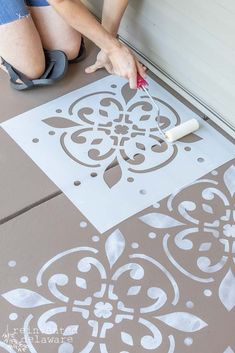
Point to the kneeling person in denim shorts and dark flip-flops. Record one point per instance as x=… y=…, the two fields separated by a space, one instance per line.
x=39 y=37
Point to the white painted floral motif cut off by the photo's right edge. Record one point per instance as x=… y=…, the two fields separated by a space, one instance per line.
x=203 y=229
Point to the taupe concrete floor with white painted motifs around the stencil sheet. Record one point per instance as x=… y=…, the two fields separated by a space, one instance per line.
x=162 y=281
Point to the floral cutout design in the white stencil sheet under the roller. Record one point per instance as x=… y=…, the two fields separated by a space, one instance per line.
x=124 y=133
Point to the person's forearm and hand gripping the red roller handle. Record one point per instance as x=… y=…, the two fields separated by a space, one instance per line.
x=123 y=63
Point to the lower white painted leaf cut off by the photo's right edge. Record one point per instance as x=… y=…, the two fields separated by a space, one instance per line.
x=227 y=291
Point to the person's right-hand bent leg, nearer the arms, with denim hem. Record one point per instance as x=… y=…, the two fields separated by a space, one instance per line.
x=55 y=33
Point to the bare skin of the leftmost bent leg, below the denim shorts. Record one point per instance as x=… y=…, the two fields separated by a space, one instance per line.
x=20 y=45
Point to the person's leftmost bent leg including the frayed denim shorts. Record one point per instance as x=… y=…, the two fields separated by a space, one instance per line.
x=20 y=43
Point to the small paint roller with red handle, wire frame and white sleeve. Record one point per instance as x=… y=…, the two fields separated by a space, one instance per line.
x=178 y=131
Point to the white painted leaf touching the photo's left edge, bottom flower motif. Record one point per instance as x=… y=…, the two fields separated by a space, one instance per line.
x=24 y=298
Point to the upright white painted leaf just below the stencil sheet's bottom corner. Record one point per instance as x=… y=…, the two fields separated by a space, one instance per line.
x=114 y=247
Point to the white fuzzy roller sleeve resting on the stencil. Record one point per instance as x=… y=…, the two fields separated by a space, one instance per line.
x=182 y=130
